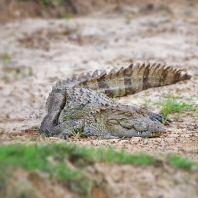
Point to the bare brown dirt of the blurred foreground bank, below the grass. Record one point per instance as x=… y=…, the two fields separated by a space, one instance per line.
x=109 y=181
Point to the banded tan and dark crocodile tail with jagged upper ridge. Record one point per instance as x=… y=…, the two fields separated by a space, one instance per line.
x=130 y=80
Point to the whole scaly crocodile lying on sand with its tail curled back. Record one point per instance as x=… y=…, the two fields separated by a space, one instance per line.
x=86 y=103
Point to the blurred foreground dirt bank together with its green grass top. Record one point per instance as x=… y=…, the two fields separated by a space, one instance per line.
x=65 y=170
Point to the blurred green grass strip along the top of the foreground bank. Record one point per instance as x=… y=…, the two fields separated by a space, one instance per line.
x=33 y=157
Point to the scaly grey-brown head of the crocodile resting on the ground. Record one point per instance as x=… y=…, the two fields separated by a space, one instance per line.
x=132 y=122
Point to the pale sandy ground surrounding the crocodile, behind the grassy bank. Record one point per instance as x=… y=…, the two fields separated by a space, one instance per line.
x=35 y=53
